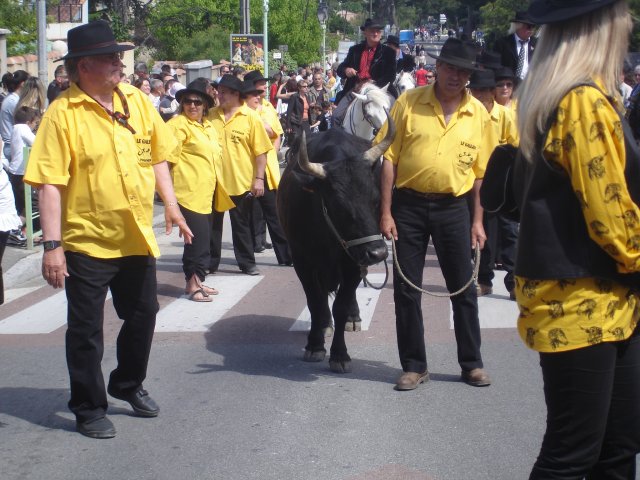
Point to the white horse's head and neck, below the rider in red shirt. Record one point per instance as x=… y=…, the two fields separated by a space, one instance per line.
x=368 y=111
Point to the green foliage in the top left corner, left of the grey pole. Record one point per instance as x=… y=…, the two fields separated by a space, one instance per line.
x=20 y=18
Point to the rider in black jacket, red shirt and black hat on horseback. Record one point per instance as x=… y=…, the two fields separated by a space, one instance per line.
x=368 y=60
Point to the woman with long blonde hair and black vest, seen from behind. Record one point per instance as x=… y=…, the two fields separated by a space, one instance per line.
x=579 y=244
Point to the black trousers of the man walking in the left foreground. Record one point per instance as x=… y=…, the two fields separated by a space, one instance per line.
x=133 y=285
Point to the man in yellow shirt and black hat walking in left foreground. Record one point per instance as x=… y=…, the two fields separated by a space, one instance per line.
x=98 y=155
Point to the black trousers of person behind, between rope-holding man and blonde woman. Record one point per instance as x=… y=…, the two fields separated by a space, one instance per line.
x=502 y=237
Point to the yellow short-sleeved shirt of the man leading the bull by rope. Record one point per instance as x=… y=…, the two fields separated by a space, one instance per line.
x=437 y=157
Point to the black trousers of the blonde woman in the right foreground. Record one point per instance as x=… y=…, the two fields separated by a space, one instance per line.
x=593 y=412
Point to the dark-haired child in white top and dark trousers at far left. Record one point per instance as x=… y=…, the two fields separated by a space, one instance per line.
x=26 y=121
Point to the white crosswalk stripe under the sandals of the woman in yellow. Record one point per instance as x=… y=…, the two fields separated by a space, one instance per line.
x=183 y=315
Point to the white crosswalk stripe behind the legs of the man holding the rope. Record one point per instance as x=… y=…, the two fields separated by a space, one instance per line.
x=496 y=310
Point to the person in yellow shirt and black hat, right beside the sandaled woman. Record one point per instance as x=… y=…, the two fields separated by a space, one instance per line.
x=245 y=145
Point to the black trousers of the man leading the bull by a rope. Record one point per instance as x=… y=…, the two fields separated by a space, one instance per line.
x=447 y=222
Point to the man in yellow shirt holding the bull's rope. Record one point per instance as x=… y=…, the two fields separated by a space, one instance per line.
x=436 y=161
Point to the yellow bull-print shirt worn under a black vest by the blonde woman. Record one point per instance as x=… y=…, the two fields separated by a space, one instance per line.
x=566 y=314
